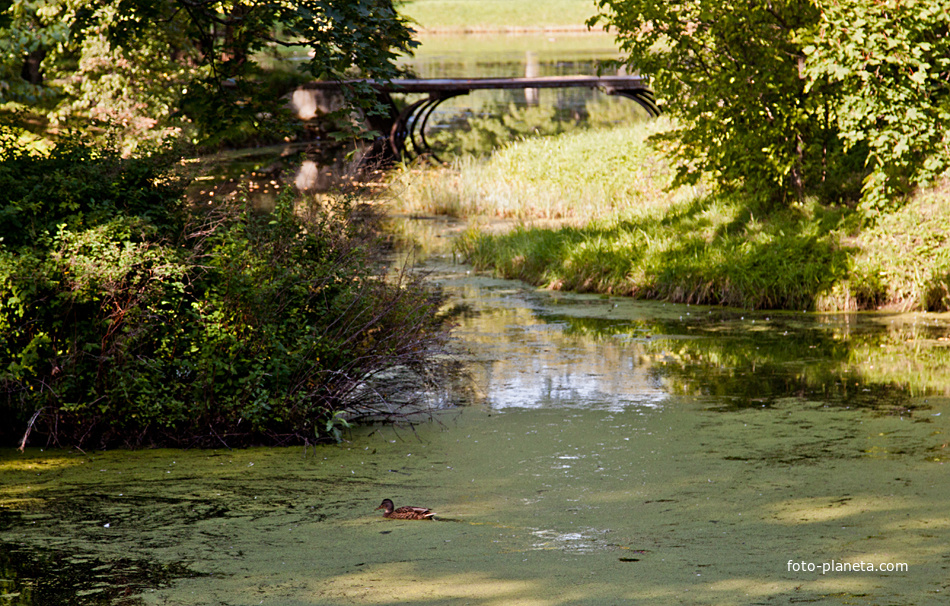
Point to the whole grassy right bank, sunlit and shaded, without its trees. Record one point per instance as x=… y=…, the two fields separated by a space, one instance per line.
x=620 y=230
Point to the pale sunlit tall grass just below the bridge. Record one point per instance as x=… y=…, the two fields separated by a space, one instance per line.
x=575 y=178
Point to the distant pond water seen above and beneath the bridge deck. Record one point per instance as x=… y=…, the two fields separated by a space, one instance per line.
x=480 y=120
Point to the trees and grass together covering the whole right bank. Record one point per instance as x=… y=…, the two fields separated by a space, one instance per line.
x=797 y=168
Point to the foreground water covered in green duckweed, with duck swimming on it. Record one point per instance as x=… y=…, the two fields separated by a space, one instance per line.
x=609 y=451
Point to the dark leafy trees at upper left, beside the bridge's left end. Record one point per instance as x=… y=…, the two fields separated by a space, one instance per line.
x=140 y=64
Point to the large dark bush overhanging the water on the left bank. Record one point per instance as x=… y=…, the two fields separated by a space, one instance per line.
x=129 y=318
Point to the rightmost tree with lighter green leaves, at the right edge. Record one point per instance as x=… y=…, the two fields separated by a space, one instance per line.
x=890 y=61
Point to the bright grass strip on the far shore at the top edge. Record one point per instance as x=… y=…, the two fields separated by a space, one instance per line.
x=487 y=15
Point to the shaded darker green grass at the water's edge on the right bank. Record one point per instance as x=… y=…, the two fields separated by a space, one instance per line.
x=707 y=250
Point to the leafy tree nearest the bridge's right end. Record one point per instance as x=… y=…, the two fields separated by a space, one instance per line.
x=732 y=73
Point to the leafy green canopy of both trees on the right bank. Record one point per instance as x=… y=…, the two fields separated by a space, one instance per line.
x=797 y=97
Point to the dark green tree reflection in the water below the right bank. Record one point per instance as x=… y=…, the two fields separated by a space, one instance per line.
x=838 y=360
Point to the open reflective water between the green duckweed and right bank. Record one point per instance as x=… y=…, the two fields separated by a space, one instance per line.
x=557 y=349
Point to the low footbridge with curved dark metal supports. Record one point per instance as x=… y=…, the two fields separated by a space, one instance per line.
x=404 y=130
